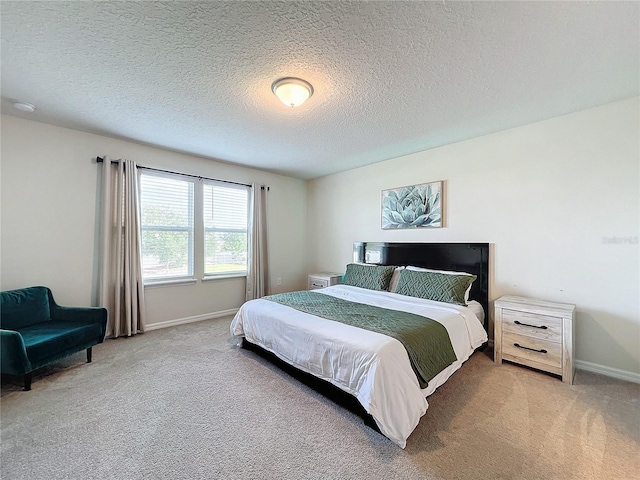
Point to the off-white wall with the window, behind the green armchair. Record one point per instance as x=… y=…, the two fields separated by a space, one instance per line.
x=49 y=182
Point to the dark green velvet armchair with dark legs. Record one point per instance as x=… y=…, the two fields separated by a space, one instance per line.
x=35 y=331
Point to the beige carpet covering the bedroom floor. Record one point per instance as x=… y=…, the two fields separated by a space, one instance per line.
x=183 y=403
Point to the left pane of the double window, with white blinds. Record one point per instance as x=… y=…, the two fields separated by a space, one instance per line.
x=166 y=211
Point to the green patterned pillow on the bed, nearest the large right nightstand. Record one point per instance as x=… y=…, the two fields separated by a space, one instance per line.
x=440 y=287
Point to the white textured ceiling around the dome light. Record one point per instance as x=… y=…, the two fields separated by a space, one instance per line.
x=390 y=78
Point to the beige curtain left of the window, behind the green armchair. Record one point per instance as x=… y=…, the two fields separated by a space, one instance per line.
x=121 y=290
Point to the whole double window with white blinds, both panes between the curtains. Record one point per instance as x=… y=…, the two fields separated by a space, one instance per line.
x=192 y=227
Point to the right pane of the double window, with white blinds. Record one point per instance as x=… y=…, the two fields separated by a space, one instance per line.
x=225 y=228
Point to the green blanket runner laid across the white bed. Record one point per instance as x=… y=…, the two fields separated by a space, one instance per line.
x=427 y=341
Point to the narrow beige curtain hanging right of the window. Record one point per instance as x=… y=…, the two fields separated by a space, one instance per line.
x=258 y=264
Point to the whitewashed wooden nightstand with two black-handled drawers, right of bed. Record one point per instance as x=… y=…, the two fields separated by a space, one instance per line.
x=535 y=333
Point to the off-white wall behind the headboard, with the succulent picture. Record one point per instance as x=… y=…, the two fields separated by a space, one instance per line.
x=546 y=195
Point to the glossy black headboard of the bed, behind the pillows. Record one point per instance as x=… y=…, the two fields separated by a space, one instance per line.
x=460 y=257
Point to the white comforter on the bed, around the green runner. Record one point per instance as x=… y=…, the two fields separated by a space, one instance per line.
x=371 y=366
